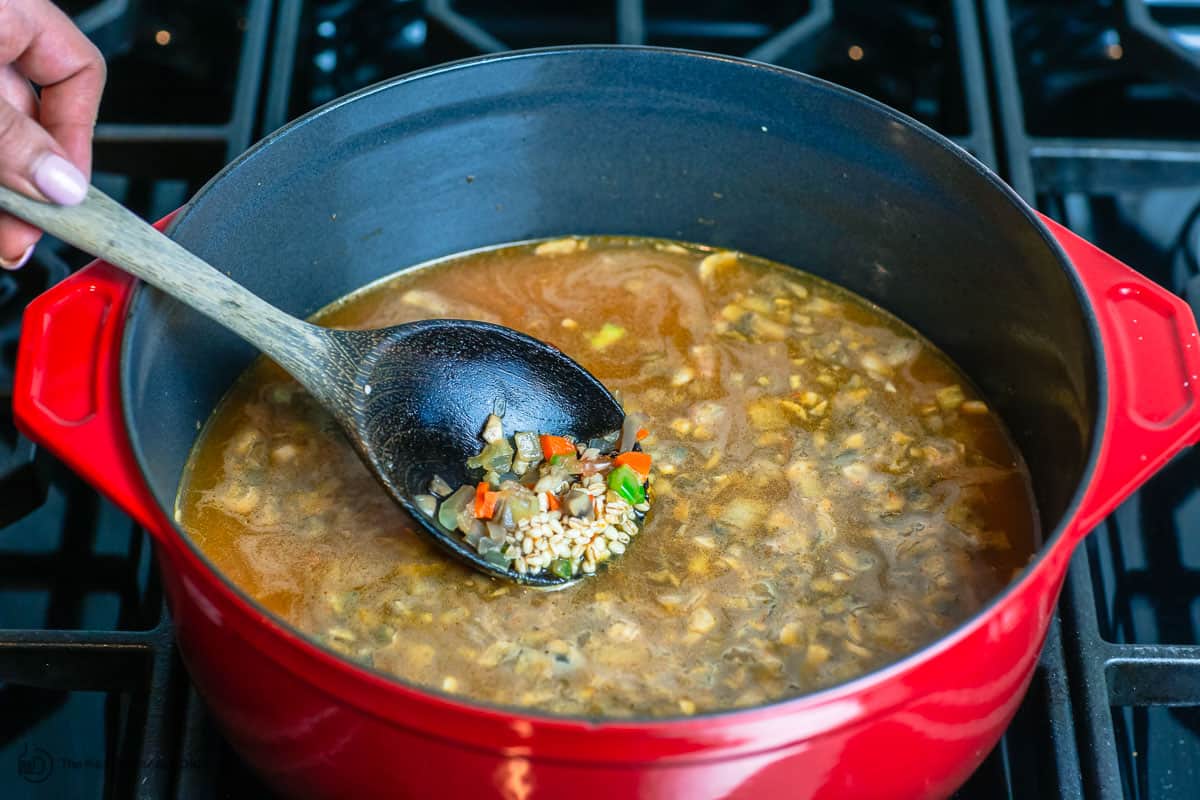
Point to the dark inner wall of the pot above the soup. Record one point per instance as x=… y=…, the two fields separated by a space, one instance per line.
x=614 y=141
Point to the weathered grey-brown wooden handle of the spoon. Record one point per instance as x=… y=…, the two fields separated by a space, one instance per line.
x=103 y=227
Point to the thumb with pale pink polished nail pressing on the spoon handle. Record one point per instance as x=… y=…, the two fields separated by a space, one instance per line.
x=33 y=163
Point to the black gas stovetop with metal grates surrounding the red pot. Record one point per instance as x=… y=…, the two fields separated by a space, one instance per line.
x=1089 y=109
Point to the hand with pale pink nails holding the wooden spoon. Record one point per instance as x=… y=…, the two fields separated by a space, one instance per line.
x=45 y=141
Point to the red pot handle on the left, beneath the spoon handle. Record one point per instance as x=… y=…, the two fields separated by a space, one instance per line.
x=67 y=388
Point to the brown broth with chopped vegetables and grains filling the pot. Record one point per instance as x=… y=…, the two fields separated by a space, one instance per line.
x=818 y=513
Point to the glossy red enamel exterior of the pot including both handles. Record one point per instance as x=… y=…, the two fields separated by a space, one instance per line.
x=317 y=726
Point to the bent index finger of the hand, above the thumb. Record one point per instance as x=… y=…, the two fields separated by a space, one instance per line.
x=49 y=50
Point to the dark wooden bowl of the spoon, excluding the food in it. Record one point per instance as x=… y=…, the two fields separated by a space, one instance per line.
x=433 y=386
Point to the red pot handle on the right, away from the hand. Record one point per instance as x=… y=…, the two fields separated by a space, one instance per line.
x=1153 y=358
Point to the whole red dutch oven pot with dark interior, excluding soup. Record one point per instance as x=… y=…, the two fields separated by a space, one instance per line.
x=1093 y=366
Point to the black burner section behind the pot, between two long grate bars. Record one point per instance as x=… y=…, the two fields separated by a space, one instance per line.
x=905 y=55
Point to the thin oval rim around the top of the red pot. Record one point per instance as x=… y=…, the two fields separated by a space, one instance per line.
x=291 y=636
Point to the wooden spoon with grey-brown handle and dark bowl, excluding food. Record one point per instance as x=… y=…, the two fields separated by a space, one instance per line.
x=412 y=399
